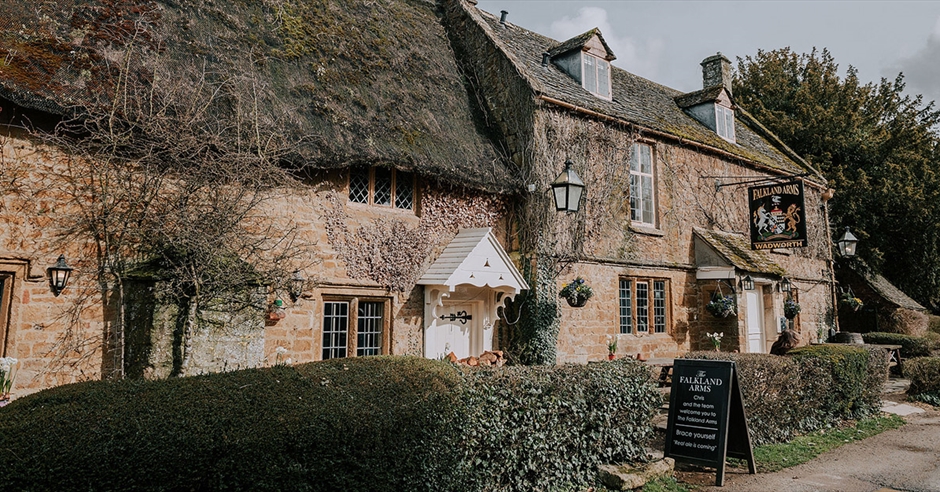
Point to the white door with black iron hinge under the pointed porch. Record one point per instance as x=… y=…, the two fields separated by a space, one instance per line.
x=460 y=331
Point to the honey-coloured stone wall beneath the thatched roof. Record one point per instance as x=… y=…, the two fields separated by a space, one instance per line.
x=345 y=249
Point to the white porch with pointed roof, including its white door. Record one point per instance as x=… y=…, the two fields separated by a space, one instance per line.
x=463 y=288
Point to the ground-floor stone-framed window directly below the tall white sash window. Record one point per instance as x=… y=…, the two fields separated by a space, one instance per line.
x=643 y=305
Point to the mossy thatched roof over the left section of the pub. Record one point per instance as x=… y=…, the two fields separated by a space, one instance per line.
x=346 y=82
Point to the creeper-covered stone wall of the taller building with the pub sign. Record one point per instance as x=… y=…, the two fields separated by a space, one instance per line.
x=613 y=248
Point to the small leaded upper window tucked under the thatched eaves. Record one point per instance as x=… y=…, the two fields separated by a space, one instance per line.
x=382 y=187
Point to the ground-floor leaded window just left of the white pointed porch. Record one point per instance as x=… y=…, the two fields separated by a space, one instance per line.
x=354 y=326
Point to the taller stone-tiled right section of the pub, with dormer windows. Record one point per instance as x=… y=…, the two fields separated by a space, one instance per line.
x=665 y=221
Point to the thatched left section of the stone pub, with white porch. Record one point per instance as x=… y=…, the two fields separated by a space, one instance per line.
x=393 y=200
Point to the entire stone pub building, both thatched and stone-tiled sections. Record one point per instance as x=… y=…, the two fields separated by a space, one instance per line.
x=413 y=144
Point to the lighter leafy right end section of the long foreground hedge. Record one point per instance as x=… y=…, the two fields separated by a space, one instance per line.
x=548 y=428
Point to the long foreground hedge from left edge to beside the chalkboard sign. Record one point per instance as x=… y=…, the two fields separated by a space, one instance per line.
x=376 y=423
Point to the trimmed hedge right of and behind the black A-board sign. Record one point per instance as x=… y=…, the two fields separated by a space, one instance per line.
x=810 y=388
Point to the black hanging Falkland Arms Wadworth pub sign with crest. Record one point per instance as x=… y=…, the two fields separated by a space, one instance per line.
x=777 y=216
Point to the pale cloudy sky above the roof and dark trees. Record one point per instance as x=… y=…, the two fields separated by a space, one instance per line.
x=666 y=40
